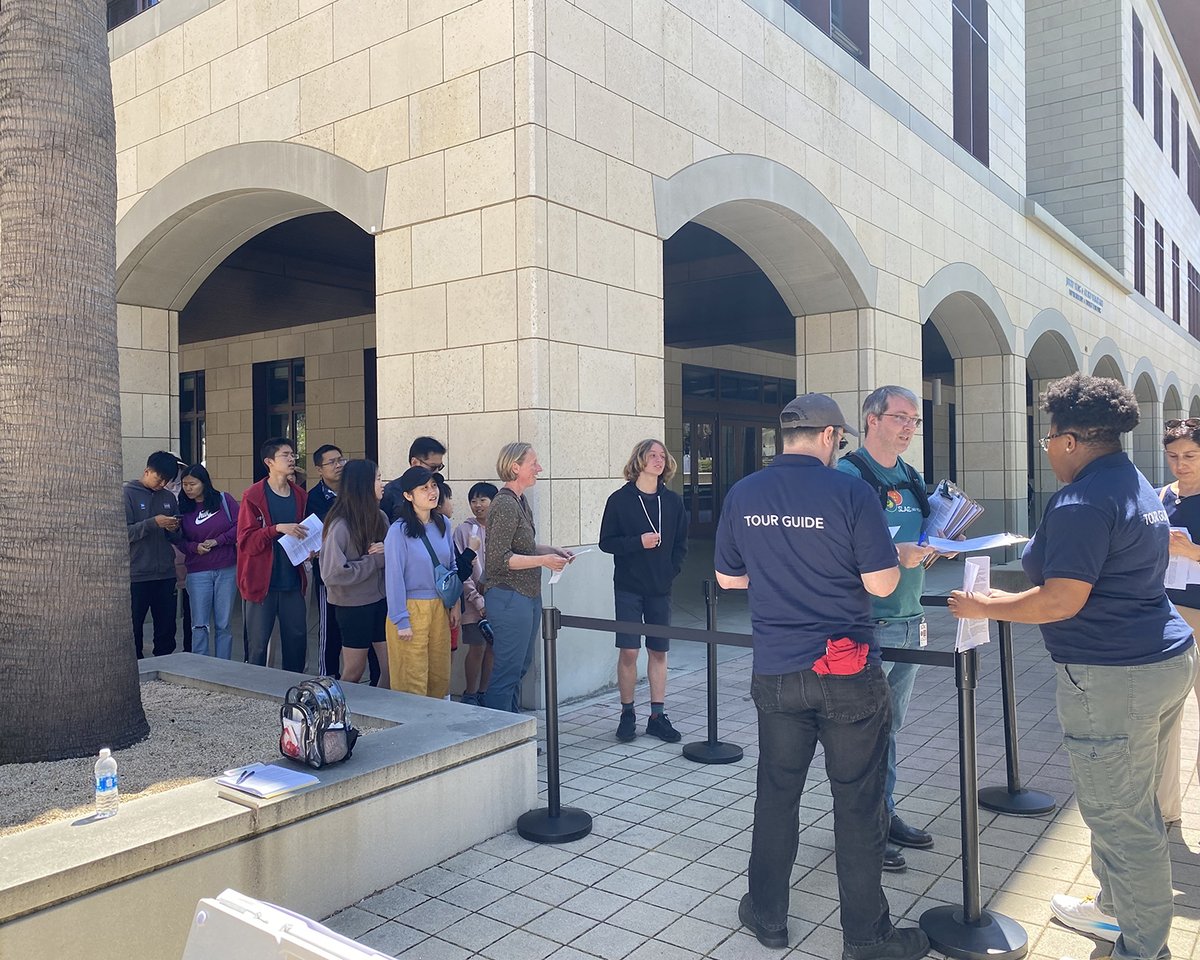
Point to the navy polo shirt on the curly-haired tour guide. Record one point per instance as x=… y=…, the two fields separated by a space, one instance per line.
x=1109 y=529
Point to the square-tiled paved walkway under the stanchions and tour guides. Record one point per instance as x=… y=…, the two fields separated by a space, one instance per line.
x=661 y=875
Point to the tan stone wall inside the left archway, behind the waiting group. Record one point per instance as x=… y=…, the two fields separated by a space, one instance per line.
x=333 y=355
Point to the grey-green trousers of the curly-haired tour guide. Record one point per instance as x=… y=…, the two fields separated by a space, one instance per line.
x=1117 y=722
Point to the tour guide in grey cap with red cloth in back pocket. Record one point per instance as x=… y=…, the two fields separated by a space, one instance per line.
x=811 y=544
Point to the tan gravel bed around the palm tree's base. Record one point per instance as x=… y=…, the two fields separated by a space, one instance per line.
x=194 y=735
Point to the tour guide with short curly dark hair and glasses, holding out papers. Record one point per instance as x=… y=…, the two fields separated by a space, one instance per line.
x=1125 y=658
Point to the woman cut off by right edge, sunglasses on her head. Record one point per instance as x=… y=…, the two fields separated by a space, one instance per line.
x=1181 y=440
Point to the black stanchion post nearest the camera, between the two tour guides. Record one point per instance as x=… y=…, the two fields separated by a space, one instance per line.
x=970 y=932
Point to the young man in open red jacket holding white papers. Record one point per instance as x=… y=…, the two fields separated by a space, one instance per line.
x=269 y=583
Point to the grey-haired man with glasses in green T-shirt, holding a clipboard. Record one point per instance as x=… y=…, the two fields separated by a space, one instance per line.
x=891 y=418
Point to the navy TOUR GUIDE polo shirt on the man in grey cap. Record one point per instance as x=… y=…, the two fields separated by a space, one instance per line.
x=806 y=535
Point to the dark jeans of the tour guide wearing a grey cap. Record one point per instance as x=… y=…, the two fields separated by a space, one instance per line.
x=850 y=717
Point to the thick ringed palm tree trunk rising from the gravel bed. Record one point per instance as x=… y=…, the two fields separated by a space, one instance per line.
x=69 y=680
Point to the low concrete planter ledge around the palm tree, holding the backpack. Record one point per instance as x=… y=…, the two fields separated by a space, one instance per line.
x=386 y=814
